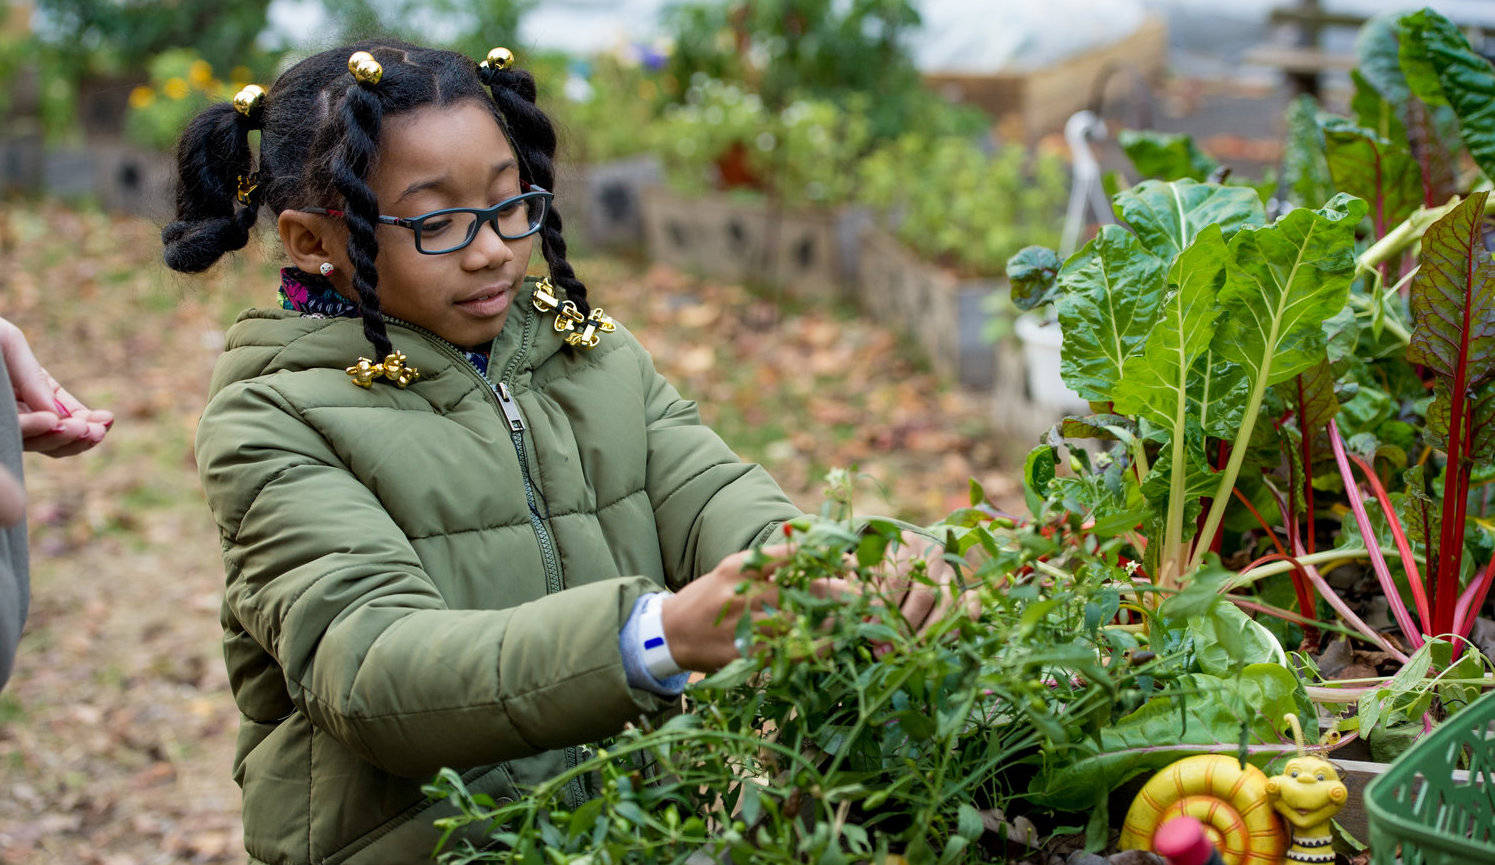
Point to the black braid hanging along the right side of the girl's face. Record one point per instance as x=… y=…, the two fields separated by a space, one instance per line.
x=534 y=141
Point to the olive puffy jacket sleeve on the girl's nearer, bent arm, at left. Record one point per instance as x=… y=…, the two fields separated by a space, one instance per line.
x=333 y=591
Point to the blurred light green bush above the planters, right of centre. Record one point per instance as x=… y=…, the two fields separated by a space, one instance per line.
x=956 y=204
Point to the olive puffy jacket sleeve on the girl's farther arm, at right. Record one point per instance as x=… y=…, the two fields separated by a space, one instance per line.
x=708 y=501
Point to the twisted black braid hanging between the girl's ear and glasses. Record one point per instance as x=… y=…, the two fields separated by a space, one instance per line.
x=357 y=125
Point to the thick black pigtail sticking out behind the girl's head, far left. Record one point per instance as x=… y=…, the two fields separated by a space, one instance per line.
x=212 y=158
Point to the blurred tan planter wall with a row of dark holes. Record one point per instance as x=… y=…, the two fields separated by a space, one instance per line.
x=747 y=241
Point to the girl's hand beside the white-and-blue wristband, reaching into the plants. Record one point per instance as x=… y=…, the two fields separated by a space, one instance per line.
x=700 y=622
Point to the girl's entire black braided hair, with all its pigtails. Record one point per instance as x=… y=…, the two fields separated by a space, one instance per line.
x=319 y=146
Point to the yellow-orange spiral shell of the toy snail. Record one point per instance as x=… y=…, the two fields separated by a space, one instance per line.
x=1228 y=800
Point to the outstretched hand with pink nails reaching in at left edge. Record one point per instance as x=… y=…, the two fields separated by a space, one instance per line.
x=53 y=422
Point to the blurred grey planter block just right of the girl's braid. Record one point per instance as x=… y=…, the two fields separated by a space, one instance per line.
x=606 y=201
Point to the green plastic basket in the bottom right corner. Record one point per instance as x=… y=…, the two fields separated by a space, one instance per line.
x=1420 y=809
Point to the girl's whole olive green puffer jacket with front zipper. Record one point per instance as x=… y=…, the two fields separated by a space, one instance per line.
x=397 y=561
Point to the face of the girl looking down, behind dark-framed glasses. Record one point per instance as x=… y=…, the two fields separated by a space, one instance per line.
x=443 y=158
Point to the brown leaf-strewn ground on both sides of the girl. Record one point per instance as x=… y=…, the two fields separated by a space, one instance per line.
x=117 y=728
